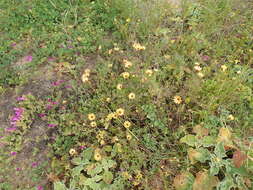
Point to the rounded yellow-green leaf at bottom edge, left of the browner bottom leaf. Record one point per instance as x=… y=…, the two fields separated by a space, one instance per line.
x=183 y=181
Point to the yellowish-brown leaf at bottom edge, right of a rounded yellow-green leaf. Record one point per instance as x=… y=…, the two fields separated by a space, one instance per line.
x=204 y=181
